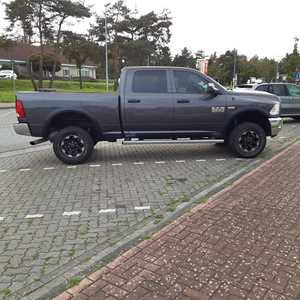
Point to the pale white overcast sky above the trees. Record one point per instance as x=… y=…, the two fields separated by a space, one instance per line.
x=262 y=27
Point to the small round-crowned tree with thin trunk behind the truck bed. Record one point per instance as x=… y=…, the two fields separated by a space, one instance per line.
x=79 y=48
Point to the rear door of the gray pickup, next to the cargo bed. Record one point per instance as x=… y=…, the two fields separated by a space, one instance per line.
x=148 y=103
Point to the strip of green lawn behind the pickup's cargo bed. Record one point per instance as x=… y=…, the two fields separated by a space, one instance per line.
x=8 y=95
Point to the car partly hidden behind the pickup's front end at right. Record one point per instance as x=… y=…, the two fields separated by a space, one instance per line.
x=289 y=95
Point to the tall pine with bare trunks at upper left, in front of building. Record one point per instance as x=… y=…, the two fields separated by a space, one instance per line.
x=43 y=20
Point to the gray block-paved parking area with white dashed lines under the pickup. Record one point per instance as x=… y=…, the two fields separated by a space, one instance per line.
x=55 y=217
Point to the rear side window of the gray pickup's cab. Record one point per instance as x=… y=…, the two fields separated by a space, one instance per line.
x=150 y=81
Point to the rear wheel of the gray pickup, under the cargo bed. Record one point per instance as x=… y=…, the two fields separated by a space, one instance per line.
x=73 y=145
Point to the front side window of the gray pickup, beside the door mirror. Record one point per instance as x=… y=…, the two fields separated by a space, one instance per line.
x=189 y=83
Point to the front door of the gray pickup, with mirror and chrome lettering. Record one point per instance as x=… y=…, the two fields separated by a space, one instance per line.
x=196 y=111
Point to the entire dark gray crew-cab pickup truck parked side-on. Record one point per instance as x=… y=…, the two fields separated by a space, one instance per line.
x=153 y=105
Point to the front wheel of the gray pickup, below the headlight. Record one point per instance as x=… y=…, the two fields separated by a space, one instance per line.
x=247 y=140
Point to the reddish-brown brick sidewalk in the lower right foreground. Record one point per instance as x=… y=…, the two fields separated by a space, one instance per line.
x=243 y=244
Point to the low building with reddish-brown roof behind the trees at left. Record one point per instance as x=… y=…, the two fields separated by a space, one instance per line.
x=19 y=54
